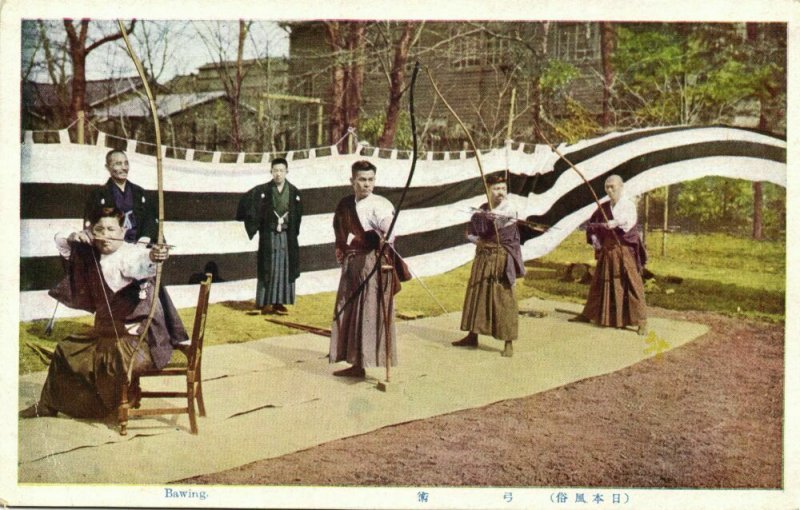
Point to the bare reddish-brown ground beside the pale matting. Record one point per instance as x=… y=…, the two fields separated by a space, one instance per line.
x=708 y=414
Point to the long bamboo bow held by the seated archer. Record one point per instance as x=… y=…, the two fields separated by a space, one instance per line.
x=160 y=174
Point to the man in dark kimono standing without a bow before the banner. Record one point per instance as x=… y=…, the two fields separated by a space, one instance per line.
x=274 y=210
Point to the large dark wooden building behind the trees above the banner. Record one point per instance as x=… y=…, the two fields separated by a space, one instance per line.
x=478 y=67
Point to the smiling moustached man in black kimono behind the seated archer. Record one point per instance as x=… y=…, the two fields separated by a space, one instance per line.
x=141 y=216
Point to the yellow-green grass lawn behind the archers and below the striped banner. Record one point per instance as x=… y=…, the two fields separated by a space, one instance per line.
x=721 y=273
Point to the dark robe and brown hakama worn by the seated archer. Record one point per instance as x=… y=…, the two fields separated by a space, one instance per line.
x=86 y=372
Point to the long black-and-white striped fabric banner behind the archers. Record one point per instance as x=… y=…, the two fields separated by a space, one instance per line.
x=201 y=199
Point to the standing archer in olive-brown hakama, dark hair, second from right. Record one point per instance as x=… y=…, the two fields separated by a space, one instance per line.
x=490 y=307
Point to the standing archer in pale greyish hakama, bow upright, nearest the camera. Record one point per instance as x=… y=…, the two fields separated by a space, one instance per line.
x=364 y=309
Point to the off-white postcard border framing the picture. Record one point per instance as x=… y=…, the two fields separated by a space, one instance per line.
x=13 y=11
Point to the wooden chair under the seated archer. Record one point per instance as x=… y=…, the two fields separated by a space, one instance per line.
x=192 y=372
